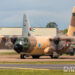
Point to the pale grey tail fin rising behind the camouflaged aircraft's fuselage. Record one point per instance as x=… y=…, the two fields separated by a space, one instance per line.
x=26 y=26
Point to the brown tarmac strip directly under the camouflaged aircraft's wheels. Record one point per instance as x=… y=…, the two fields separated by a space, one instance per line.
x=16 y=58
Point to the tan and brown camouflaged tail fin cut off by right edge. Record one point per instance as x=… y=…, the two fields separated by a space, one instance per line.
x=71 y=30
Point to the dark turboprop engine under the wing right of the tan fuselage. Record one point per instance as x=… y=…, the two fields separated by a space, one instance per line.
x=60 y=45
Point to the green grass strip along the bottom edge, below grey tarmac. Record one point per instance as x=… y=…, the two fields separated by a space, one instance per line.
x=35 y=72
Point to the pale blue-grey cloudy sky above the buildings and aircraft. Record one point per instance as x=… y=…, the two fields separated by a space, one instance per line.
x=39 y=12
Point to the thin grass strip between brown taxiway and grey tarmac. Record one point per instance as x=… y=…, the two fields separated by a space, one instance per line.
x=40 y=62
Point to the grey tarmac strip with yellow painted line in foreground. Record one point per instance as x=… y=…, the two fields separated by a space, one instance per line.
x=37 y=66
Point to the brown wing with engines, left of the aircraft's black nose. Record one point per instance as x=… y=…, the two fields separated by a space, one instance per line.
x=7 y=42
